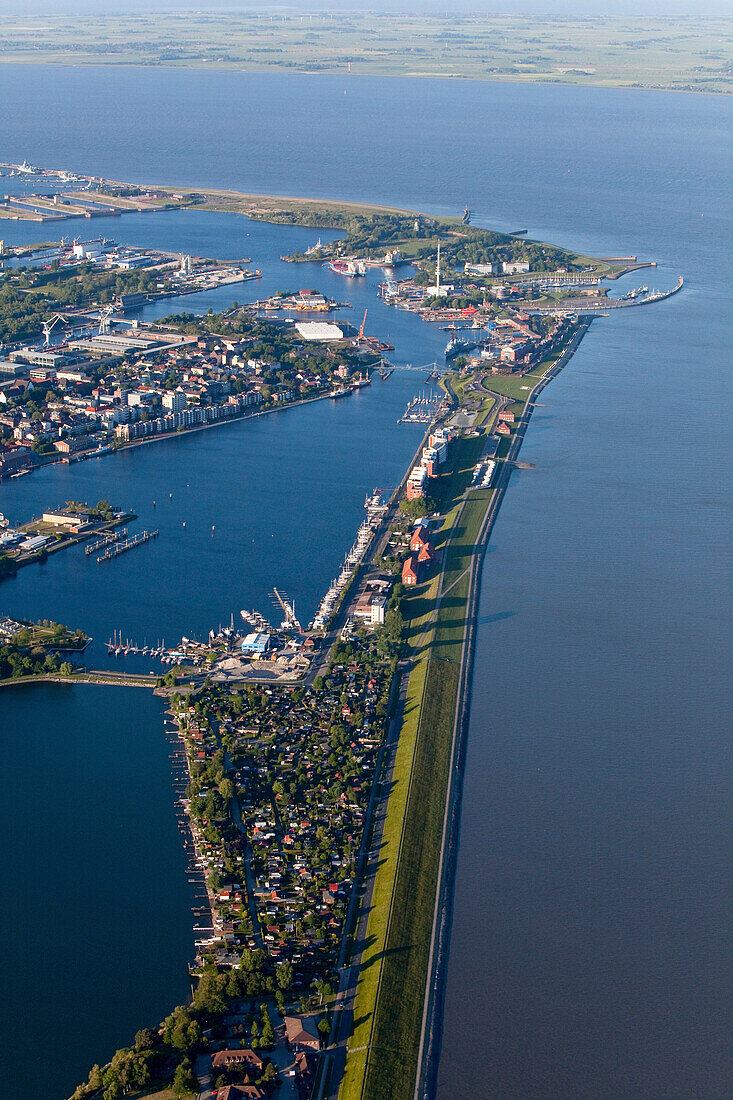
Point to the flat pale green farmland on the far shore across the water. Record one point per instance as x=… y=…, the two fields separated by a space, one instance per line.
x=691 y=53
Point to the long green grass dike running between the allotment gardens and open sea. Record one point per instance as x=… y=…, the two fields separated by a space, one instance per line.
x=384 y=1048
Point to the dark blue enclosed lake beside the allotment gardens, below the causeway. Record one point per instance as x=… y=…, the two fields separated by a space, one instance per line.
x=96 y=907
